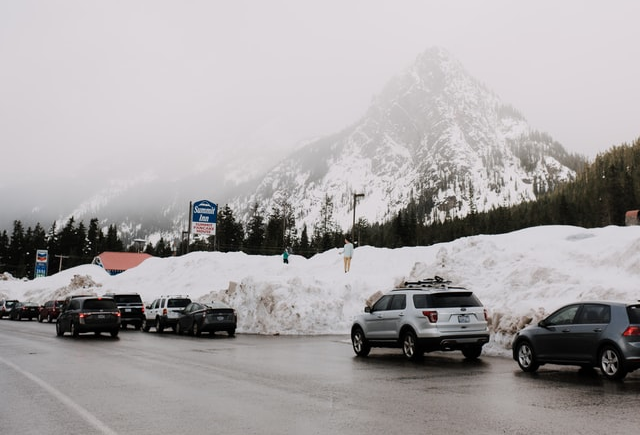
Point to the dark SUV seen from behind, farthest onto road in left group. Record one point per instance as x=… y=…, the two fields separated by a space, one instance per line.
x=89 y=314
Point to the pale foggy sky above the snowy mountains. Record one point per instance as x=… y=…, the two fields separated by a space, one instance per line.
x=93 y=88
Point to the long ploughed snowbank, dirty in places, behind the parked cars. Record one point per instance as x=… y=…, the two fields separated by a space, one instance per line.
x=520 y=277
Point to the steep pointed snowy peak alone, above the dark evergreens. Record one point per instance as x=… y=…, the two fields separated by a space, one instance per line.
x=434 y=135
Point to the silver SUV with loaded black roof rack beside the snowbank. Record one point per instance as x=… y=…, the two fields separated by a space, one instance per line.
x=423 y=316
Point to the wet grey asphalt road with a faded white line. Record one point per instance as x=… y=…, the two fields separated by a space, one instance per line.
x=149 y=383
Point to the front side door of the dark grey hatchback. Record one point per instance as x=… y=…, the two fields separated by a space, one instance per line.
x=553 y=339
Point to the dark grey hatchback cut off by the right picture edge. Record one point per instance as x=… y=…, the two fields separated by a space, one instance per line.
x=587 y=334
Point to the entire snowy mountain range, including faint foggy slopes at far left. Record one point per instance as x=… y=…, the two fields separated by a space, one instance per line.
x=433 y=135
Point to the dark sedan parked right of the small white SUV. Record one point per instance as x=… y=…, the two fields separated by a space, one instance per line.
x=199 y=317
